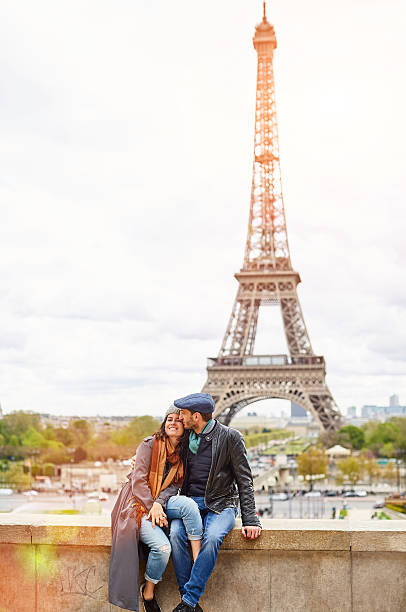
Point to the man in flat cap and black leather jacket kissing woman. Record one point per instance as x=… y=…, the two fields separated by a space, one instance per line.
x=217 y=475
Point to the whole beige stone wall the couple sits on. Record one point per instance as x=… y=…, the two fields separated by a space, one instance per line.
x=57 y=563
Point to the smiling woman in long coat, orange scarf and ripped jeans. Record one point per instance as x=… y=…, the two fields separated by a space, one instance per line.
x=139 y=515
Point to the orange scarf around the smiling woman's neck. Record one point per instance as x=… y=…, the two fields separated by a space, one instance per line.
x=162 y=451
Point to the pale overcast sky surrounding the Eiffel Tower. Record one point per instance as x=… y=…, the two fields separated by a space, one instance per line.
x=125 y=171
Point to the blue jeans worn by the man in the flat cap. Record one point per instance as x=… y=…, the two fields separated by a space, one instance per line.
x=192 y=579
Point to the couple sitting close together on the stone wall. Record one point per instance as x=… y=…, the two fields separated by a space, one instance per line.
x=189 y=475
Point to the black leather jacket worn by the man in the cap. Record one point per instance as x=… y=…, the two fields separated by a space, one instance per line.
x=230 y=476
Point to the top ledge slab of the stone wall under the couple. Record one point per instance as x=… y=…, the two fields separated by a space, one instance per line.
x=286 y=535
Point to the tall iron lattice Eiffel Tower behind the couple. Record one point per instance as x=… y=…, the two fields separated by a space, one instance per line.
x=238 y=376
